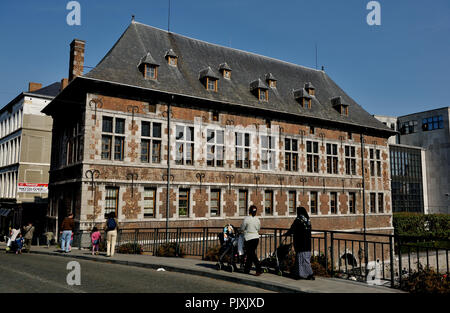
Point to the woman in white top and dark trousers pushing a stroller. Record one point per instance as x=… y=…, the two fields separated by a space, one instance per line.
x=250 y=227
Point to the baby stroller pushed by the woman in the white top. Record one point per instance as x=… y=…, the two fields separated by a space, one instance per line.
x=229 y=252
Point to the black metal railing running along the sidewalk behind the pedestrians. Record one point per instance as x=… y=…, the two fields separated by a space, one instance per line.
x=343 y=254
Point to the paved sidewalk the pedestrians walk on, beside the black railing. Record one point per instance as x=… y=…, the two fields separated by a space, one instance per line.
x=205 y=268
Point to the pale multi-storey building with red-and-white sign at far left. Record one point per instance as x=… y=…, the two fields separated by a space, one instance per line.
x=25 y=140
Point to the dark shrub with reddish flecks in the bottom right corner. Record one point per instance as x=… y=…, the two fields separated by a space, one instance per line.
x=426 y=281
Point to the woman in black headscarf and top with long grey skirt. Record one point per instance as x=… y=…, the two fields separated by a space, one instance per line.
x=301 y=229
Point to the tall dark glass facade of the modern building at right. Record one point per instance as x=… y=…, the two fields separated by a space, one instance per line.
x=407 y=183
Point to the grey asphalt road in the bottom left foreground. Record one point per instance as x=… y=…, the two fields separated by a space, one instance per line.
x=32 y=273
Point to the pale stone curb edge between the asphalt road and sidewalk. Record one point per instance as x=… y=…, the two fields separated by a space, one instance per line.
x=276 y=287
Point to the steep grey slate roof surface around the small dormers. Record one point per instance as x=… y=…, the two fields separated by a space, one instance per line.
x=119 y=65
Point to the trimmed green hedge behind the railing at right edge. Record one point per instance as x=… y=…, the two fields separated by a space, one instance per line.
x=421 y=225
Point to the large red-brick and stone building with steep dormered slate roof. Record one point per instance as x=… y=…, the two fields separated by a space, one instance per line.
x=242 y=129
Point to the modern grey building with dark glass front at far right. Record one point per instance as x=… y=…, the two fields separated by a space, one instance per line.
x=428 y=132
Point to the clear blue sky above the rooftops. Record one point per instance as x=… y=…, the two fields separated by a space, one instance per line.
x=399 y=67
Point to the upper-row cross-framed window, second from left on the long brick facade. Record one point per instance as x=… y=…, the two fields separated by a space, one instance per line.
x=150 y=142
